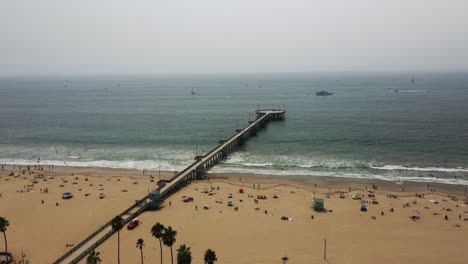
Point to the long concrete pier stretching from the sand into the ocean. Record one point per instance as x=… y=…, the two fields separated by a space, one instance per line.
x=196 y=170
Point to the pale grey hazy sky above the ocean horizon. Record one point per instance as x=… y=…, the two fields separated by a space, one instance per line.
x=204 y=36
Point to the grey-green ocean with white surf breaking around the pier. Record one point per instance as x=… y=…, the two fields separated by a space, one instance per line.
x=364 y=131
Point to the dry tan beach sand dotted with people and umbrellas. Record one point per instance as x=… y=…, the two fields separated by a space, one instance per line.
x=244 y=236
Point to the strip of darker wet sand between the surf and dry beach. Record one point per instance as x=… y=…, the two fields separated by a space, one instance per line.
x=325 y=182
